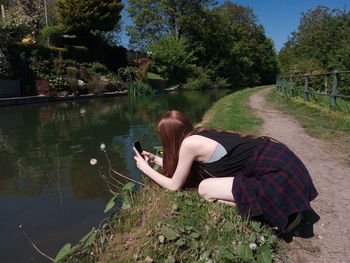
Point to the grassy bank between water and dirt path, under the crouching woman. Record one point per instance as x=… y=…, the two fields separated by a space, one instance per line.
x=157 y=225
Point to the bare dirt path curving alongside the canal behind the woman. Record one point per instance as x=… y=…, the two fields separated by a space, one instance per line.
x=331 y=242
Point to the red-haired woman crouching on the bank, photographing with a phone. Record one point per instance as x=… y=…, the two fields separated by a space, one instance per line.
x=261 y=176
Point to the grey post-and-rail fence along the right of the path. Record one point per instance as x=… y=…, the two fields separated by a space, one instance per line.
x=287 y=85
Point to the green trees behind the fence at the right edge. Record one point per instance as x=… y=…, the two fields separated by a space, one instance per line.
x=321 y=43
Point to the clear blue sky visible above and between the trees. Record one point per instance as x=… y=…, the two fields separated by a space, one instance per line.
x=279 y=17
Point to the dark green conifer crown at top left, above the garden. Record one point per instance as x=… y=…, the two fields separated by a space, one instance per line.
x=80 y=17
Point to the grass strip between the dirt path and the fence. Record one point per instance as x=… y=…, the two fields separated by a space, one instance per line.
x=318 y=121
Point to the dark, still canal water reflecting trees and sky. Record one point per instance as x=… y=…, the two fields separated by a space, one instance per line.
x=46 y=181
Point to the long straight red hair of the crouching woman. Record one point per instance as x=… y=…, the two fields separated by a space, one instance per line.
x=173 y=128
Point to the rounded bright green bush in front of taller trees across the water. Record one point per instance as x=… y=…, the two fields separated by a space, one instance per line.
x=173 y=58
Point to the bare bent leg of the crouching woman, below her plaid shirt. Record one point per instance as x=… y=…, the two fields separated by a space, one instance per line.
x=220 y=189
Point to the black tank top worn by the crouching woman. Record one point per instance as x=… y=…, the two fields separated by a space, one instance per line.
x=239 y=151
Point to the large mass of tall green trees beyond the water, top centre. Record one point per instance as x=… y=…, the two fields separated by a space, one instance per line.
x=225 y=40
